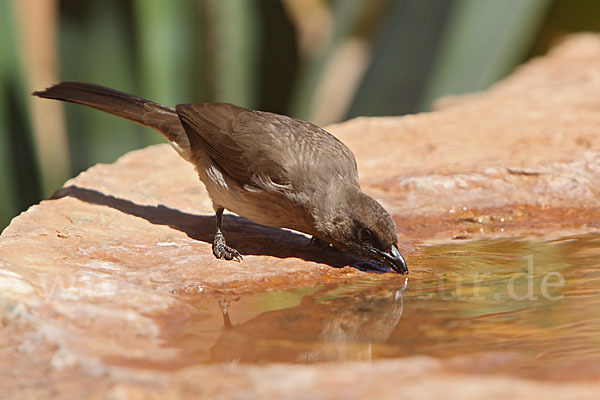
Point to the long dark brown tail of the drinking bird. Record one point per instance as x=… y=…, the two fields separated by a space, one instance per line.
x=161 y=118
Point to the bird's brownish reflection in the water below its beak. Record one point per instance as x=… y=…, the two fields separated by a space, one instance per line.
x=334 y=324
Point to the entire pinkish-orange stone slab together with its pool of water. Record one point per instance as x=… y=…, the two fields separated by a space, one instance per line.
x=110 y=288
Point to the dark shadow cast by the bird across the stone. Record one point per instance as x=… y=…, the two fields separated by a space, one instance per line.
x=245 y=236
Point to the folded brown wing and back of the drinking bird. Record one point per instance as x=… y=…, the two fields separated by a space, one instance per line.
x=263 y=149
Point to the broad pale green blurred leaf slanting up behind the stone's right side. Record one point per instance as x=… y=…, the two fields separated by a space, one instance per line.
x=483 y=41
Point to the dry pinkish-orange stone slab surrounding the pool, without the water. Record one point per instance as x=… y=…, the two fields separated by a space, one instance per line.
x=83 y=274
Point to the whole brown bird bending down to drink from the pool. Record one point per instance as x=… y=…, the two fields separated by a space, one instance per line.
x=271 y=169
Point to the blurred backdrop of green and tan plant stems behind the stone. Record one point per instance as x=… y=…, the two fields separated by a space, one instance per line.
x=320 y=60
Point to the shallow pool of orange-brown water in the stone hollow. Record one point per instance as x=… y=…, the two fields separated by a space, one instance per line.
x=496 y=305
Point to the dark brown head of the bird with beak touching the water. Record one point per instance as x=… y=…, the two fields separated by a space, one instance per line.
x=364 y=228
